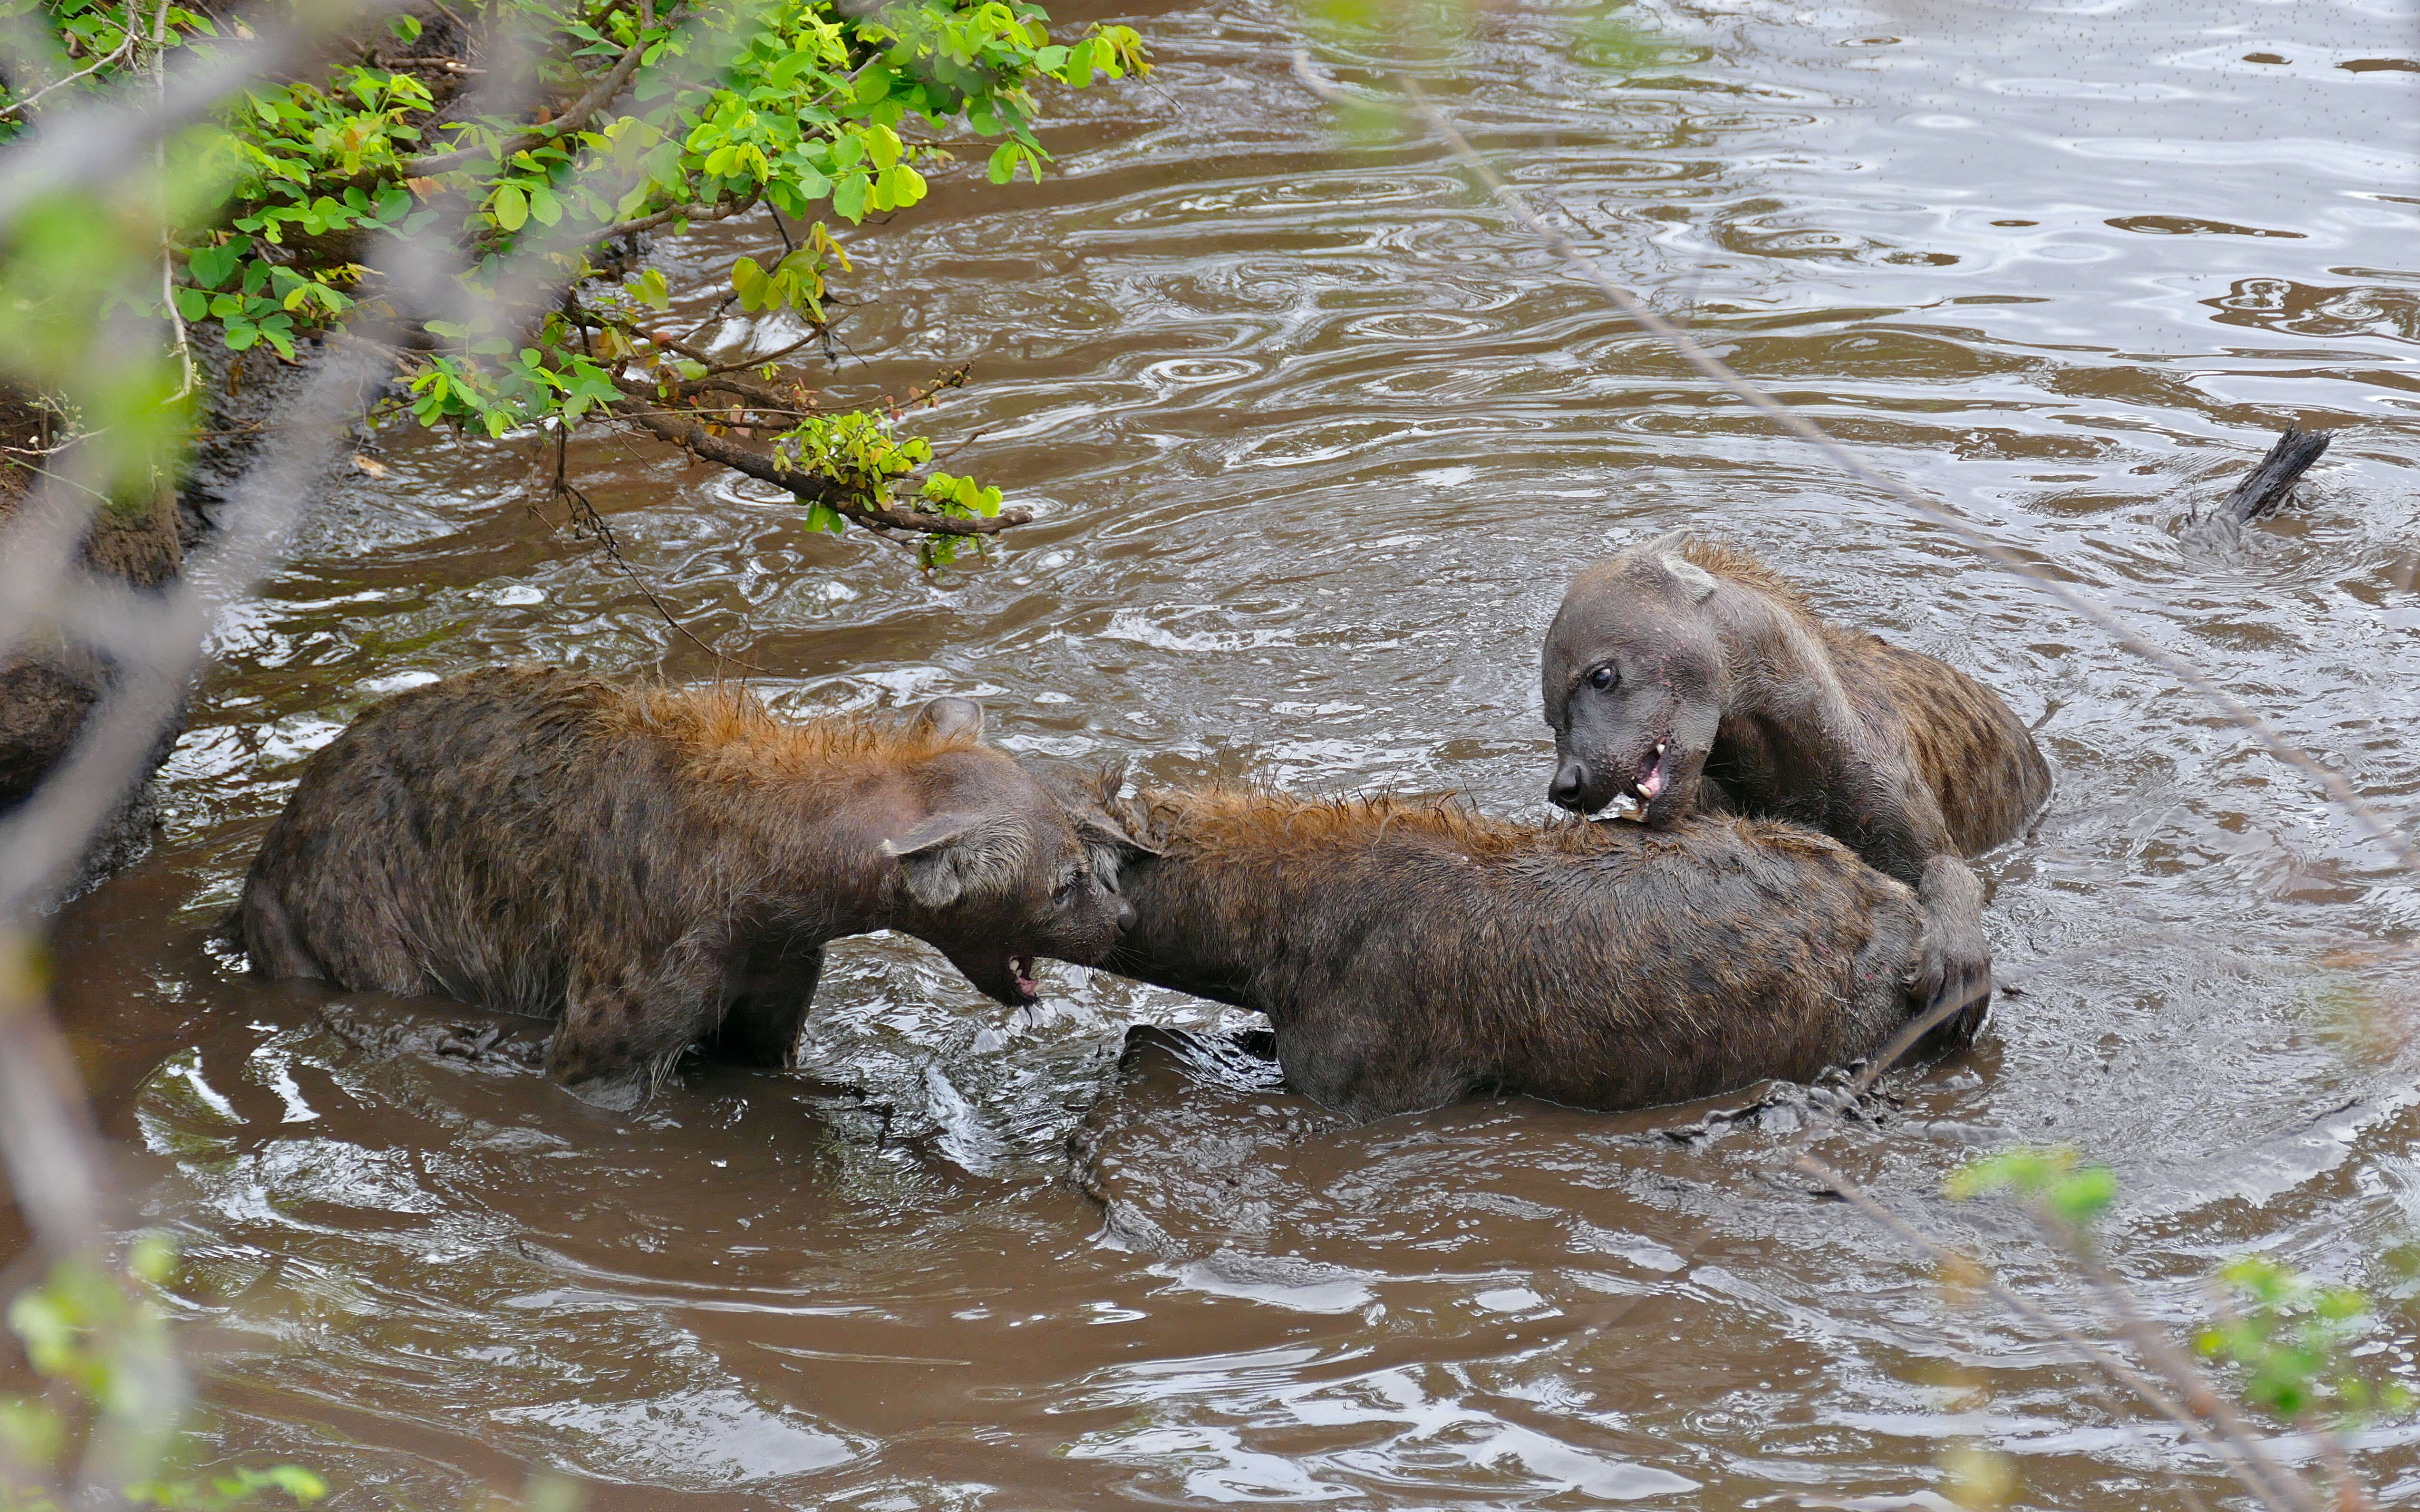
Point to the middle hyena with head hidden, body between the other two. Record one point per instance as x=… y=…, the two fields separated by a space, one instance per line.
x=1414 y=952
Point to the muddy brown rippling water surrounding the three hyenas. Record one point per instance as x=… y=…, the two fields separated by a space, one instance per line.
x=1315 y=439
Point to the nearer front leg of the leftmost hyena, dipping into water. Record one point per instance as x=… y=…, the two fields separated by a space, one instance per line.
x=626 y=1022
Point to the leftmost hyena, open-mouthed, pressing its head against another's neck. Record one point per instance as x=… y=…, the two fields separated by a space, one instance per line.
x=659 y=867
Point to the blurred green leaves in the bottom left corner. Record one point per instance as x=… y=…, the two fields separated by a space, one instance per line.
x=115 y=1397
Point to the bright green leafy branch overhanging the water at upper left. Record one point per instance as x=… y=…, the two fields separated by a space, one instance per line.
x=674 y=117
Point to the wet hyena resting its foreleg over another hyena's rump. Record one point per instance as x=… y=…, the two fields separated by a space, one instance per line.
x=1688 y=676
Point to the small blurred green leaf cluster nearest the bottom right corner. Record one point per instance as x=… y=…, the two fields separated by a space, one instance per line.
x=2298 y=1344
